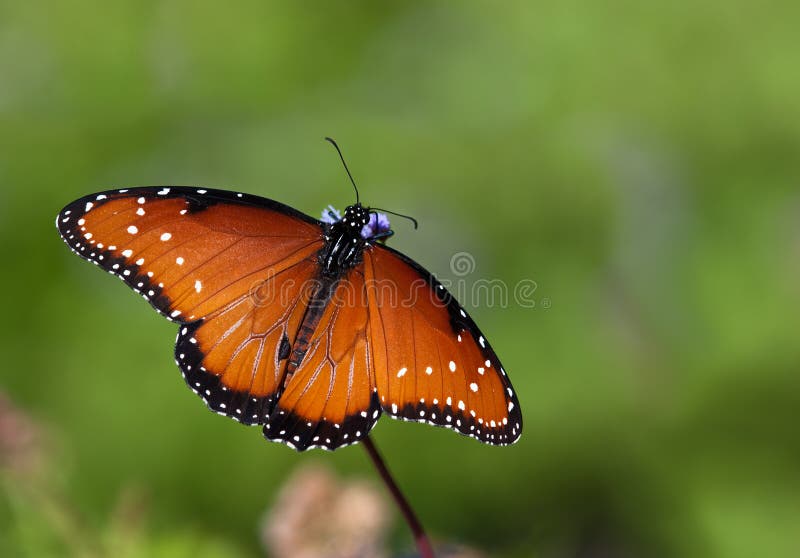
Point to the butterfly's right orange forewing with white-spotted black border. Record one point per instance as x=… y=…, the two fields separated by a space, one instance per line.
x=435 y=365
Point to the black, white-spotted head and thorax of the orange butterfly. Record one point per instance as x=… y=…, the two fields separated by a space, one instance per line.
x=344 y=242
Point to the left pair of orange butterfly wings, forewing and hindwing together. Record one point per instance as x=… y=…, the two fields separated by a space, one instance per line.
x=231 y=268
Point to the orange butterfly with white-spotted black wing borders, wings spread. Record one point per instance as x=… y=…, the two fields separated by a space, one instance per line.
x=310 y=328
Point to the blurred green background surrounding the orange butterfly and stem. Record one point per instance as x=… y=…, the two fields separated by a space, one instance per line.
x=638 y=161
